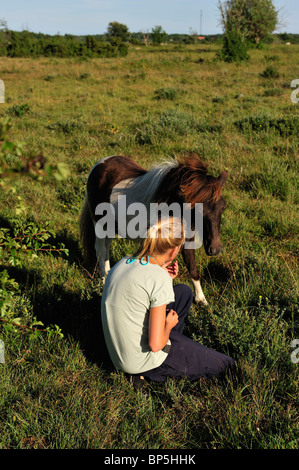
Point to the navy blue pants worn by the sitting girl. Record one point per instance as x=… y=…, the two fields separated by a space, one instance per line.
x=186 y=357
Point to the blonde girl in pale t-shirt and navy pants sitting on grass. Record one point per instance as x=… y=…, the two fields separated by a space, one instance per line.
x=143 y=314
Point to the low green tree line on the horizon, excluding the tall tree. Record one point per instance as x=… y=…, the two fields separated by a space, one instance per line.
x=115 y=42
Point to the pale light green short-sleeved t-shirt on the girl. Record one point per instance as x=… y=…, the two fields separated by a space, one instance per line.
x=130 y=291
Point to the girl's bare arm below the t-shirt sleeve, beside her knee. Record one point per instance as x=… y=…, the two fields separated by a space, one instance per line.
x=160 y=326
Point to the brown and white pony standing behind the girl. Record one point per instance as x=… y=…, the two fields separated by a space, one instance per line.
x=181 y=181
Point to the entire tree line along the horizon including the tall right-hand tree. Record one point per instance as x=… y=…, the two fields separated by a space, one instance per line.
x=246 y=24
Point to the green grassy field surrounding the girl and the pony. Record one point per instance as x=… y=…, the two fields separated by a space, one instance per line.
x=55 y=393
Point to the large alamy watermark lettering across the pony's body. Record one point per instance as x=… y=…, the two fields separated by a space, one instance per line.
x=132 y=220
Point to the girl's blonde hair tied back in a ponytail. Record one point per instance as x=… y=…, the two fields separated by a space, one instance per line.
x=165 y=234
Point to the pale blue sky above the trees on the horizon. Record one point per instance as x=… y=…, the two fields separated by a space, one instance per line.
x=93 y=16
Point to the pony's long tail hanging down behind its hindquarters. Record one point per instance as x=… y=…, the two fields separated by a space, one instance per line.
x=87 y=235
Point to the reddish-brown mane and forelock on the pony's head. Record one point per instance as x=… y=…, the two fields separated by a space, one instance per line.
x=188 y=177
